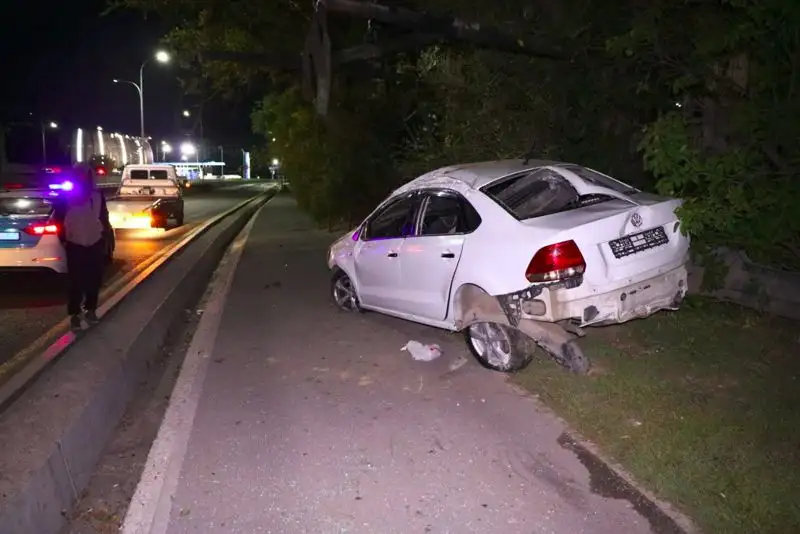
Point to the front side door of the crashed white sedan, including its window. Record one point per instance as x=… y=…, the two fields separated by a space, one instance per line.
x=376 y=255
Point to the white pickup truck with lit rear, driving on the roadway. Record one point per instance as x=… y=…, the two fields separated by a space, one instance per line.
x=148 y=197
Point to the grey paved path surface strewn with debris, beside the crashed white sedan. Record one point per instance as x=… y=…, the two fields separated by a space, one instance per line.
x=311 y=420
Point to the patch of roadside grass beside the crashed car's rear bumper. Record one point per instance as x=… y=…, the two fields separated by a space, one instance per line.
x=701 y=406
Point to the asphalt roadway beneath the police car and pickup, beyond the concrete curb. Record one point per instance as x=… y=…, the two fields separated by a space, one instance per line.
x=30 y=304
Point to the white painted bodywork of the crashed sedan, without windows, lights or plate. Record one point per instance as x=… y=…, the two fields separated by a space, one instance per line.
x=409 y=277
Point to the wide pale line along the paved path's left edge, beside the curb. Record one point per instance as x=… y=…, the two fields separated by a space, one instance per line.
x=151 y=505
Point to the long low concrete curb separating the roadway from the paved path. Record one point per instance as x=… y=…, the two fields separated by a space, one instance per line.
x=55 y=432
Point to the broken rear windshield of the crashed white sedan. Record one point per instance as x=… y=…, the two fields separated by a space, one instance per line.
x=538 y=193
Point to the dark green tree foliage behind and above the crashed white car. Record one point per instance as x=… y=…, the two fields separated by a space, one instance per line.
x=706 y=91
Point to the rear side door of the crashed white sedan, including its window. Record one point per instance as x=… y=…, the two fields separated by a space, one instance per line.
x=429 y=259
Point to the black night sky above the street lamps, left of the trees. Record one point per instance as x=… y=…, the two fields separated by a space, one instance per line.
x=59 y=59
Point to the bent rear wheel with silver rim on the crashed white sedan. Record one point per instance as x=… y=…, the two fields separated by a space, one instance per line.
x=500 y=347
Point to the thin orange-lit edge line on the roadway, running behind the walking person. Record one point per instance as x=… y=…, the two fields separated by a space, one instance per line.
x=25 y=366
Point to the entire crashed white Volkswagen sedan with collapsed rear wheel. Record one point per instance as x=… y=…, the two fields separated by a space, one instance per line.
x=517 y=255
